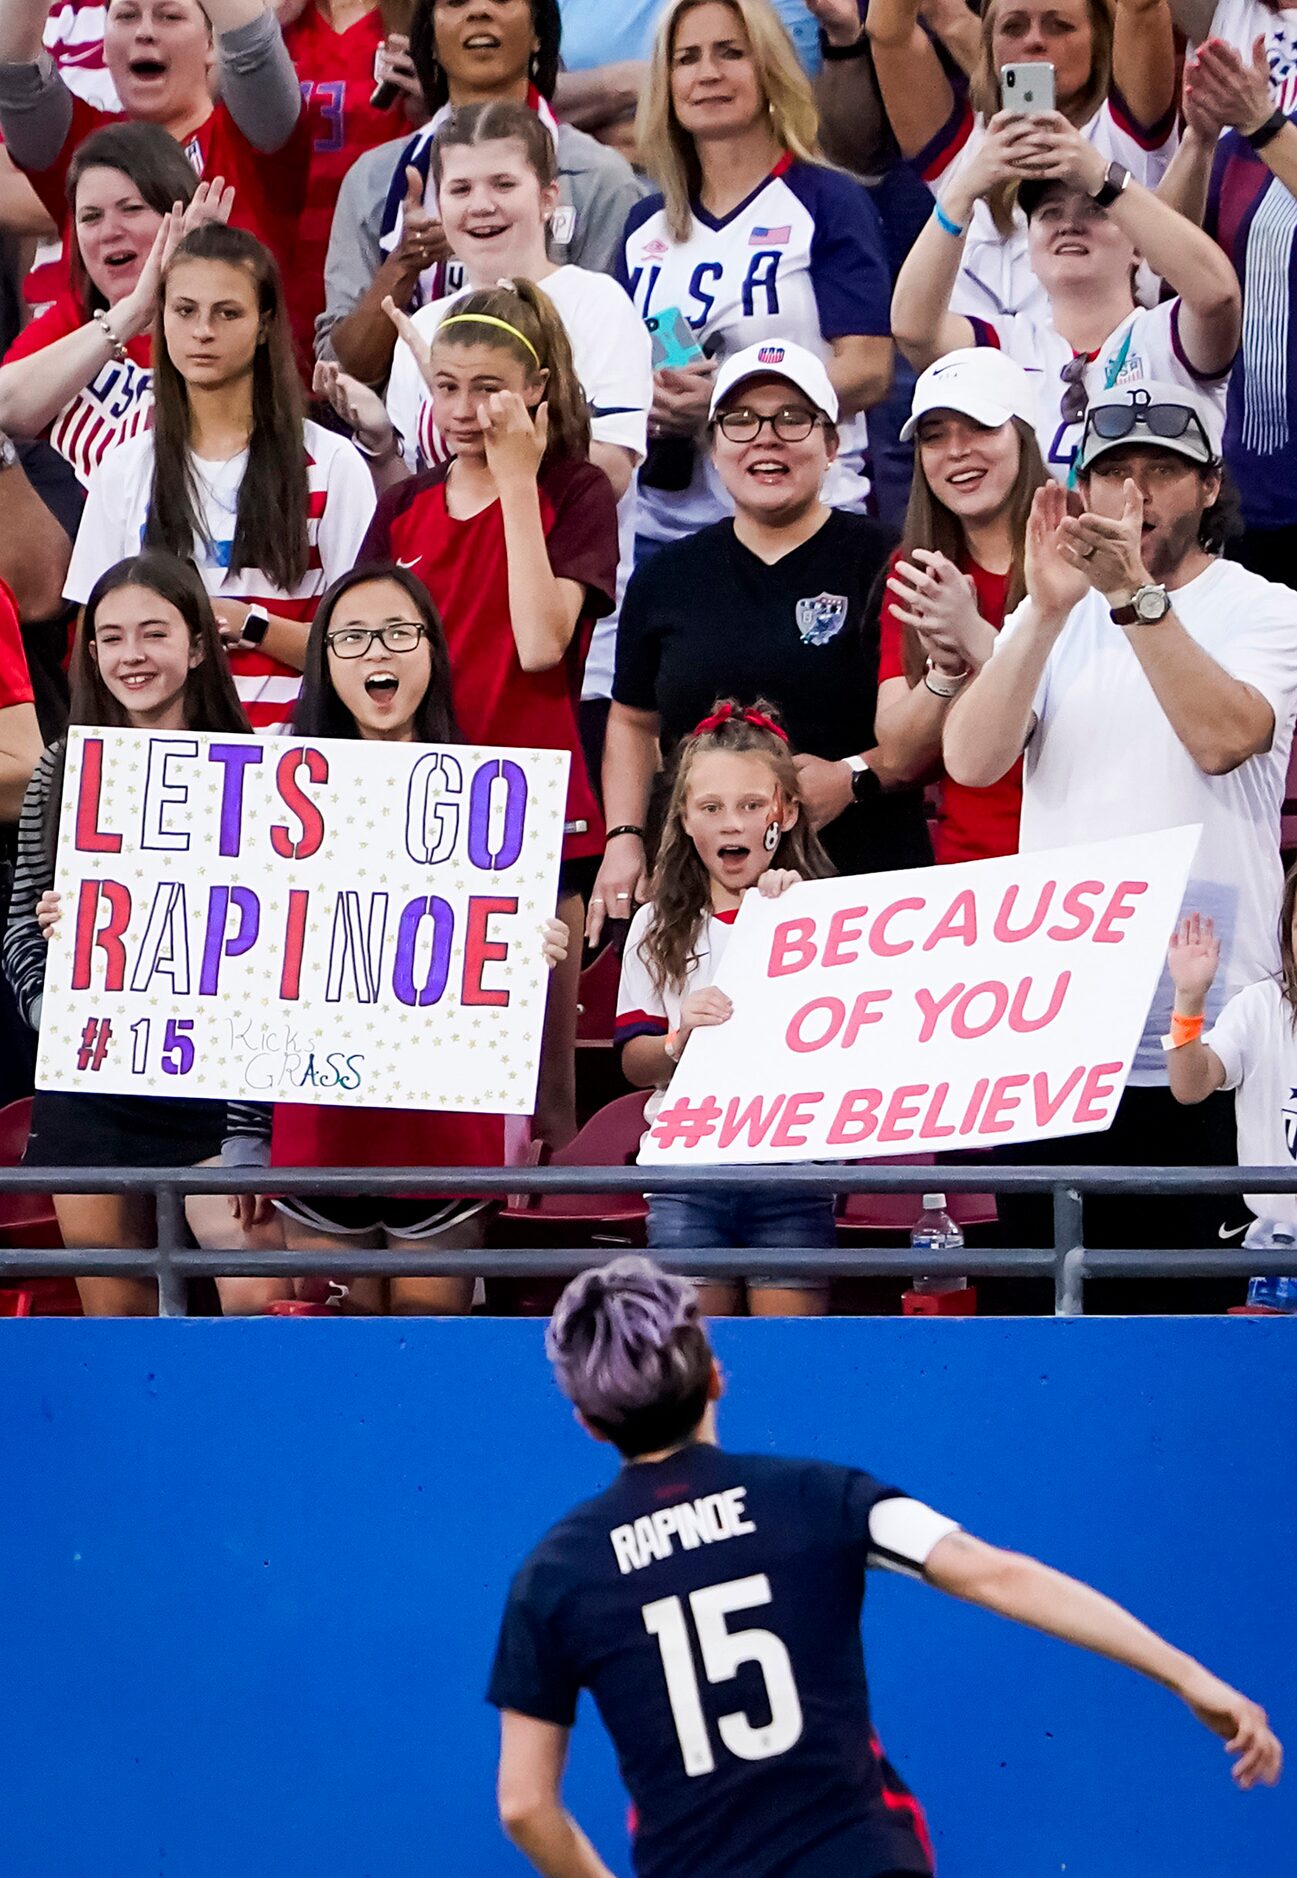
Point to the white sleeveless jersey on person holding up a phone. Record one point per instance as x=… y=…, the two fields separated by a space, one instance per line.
x=1146 y=345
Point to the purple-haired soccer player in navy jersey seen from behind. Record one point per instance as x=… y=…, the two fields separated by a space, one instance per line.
x=710 y=1603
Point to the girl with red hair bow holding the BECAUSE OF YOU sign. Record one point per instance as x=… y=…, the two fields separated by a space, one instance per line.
x=735 y=822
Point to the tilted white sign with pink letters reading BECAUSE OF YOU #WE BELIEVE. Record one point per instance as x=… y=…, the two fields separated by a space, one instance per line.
x=930 y=1011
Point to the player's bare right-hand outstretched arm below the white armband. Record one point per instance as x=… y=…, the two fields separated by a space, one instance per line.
x=1050 y=1601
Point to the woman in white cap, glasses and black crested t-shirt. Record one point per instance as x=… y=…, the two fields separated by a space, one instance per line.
x=780 y=602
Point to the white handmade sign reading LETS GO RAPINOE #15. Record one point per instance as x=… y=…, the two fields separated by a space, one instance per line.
x=303 y=921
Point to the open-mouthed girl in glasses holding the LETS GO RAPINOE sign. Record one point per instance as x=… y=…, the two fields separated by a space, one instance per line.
x=378 y=670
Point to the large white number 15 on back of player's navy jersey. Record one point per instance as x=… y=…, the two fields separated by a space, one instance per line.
x=724 y=1652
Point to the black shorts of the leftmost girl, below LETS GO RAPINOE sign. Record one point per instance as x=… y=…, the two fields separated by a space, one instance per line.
x=80 y=1130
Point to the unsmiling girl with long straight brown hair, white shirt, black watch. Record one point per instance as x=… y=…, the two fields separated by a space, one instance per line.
x=269 y=506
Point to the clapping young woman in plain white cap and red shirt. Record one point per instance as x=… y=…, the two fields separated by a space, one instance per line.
x=956 y=577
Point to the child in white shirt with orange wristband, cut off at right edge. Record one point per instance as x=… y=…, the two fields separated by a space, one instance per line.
x=1253 y=1047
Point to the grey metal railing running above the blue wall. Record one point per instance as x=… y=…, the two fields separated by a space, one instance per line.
x=172 y=1261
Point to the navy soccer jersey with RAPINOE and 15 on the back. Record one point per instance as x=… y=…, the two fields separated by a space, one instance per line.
x=710 y=1603
